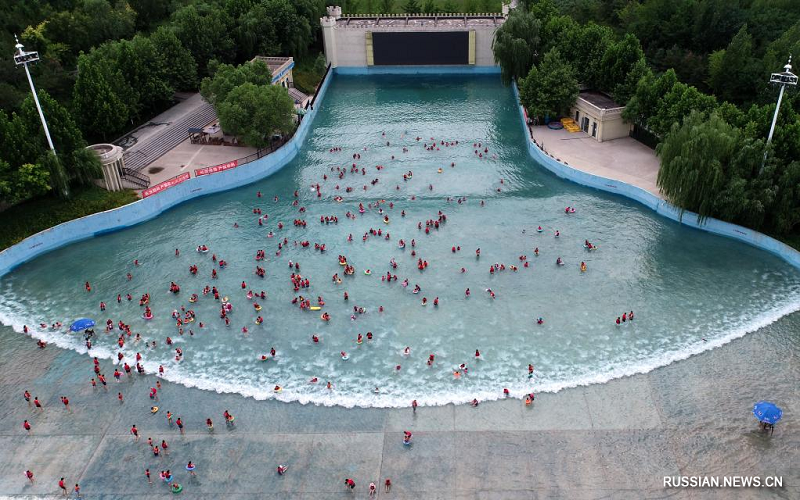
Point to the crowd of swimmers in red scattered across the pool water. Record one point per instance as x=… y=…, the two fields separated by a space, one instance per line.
x=300 y=283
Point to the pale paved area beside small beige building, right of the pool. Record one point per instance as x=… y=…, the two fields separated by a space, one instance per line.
x=625 y=159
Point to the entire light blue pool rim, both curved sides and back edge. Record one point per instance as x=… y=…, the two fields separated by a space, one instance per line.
x=148 y=208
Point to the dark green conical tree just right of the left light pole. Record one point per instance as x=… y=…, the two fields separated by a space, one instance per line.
x=99 y=111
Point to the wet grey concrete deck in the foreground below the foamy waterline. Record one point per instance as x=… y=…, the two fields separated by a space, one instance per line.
x=611 y=441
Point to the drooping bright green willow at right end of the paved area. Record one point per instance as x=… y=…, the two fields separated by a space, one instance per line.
x=694 y=156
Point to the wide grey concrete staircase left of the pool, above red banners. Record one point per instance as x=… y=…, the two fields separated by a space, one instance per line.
x=141 y=155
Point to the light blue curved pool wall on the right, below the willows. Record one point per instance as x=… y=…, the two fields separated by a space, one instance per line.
x=662 y=207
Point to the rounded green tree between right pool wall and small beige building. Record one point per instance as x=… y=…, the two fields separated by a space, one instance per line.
x=550 y=88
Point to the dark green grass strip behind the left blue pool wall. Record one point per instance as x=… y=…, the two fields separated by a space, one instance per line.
x=25 y=219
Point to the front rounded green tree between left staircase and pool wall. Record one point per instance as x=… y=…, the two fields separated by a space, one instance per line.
x=254 y=112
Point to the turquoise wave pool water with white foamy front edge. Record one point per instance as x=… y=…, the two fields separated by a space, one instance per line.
x=690 y=291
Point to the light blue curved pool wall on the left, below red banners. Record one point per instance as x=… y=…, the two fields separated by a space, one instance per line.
x=149 y=208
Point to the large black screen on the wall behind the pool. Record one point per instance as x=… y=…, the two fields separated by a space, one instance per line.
x=420 y=47
